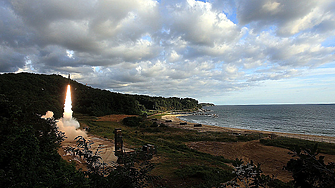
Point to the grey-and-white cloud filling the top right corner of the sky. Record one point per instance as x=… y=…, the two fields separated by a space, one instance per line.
x=289 y=17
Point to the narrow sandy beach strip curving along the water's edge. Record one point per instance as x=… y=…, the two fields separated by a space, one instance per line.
x=212 y=128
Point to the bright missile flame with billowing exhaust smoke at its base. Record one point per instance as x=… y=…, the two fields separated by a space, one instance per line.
x=67 y=123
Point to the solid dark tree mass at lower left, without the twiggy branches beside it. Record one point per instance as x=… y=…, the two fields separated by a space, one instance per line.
x=28 y=151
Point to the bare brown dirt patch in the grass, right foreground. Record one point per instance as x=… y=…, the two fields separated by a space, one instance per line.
x=272 y=159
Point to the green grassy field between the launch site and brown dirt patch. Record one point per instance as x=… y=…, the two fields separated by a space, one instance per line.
x=173 y=154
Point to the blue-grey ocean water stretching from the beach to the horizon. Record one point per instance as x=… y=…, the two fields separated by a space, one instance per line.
x=308 y=119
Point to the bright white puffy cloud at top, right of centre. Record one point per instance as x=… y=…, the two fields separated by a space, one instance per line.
x=198 y=23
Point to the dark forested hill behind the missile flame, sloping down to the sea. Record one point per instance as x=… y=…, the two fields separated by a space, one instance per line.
x=40 y=93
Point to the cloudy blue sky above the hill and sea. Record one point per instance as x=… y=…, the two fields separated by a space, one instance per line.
x=217 y=51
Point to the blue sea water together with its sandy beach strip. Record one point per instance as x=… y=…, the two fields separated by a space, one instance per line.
x=308 y=122
